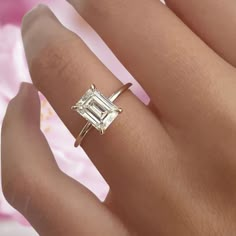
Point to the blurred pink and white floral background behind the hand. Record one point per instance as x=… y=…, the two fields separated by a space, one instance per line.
x=13 y=70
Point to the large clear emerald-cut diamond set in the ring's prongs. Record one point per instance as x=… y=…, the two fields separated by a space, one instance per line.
x=97 y=109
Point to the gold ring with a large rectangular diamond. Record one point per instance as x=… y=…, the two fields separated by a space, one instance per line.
x=99 y=111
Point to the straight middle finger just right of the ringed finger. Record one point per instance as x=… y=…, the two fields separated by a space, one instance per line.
x=181 y=74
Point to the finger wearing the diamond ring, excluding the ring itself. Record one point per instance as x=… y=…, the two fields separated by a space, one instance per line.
x=63 y=71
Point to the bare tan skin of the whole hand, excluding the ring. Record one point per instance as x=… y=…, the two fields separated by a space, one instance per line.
x=171 y=166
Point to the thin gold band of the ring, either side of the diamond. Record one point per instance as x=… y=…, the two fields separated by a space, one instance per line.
x=89 y=126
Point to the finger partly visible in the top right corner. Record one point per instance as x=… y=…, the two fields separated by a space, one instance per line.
x=213 y=21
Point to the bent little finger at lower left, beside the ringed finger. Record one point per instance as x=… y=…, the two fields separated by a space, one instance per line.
x=52 y=202
